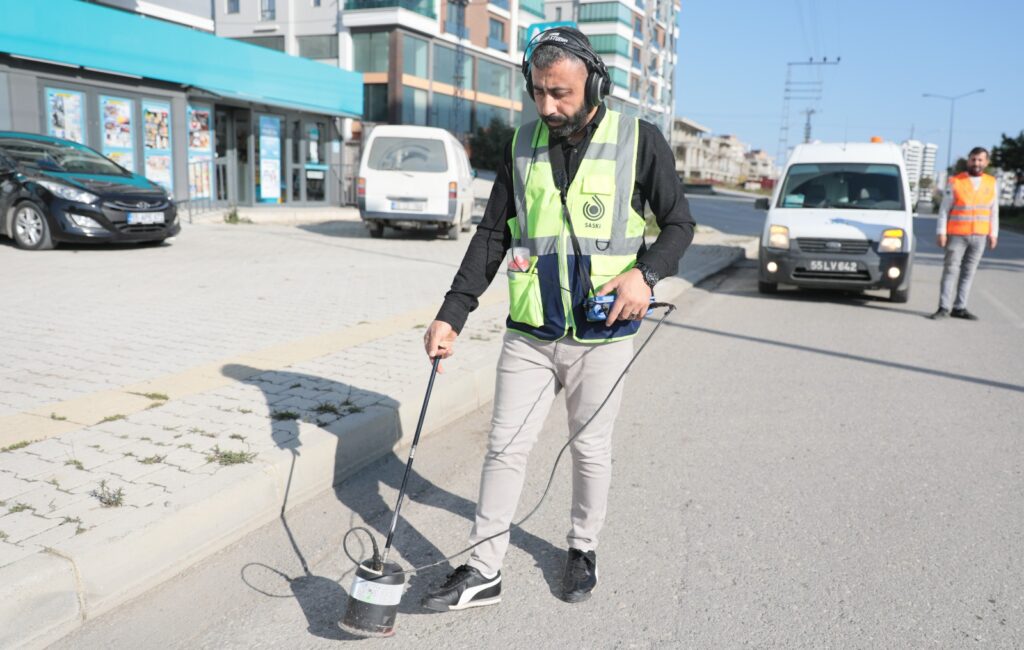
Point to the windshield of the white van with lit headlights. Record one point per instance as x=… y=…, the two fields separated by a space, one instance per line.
x=854 y=186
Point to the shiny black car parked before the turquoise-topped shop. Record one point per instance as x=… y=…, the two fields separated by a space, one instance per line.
x=55 y=191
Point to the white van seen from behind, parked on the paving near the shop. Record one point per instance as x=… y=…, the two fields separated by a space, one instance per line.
x=415 y=178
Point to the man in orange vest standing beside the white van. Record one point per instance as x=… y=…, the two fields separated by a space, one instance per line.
x=969 y=216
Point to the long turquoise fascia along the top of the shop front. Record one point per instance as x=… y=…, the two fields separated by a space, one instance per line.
x=100 y=38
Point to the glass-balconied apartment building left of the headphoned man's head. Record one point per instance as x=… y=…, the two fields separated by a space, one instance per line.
x=448 y=64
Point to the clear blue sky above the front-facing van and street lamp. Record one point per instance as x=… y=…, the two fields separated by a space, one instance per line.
x=734 y=55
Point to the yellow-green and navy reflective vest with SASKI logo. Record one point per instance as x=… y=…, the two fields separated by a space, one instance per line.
x=547 y=301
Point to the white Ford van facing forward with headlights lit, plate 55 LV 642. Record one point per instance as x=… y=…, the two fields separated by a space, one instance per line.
x=841 y=219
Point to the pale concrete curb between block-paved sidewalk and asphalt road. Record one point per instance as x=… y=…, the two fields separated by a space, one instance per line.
x=86 y=577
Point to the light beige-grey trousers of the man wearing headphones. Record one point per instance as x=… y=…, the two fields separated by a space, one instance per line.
x=531 y=373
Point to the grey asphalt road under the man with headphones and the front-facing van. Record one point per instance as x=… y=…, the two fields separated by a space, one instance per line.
x=804 y=470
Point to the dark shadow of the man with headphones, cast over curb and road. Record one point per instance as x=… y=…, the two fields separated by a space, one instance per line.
x=293 y=399
